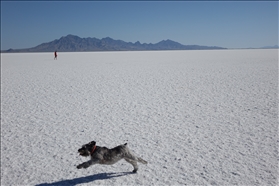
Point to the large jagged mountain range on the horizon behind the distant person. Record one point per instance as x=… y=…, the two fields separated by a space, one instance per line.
x=71 y=43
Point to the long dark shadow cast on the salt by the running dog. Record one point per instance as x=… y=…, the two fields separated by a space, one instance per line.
x=86 y=179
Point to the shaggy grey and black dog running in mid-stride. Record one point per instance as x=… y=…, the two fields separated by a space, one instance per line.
x=103 y=155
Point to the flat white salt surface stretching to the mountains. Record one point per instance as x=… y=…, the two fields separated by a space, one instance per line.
x=197 y=117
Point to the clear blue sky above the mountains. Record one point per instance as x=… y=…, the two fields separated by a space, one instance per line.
x=231 y=24
